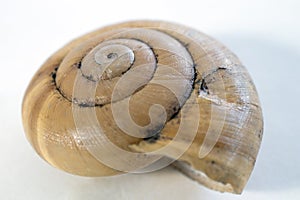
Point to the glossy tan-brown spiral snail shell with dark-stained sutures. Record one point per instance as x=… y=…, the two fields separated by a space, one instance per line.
x=138 y=96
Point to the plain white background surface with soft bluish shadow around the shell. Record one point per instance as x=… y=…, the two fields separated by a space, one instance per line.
x=264 y=34
